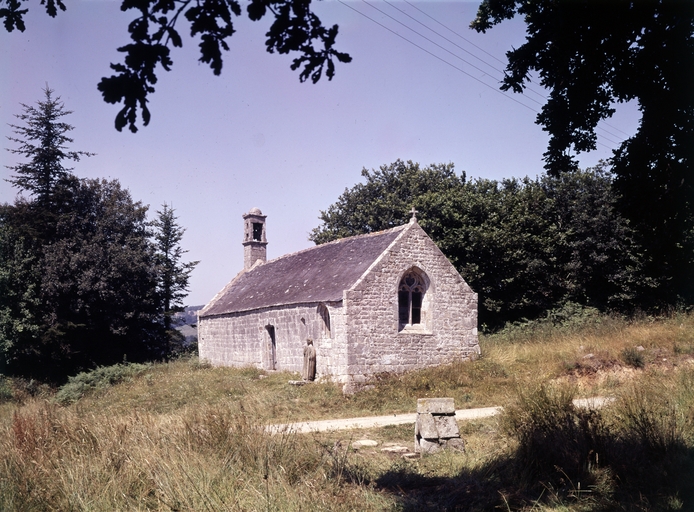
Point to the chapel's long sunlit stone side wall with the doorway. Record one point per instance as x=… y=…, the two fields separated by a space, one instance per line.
x=241 y=339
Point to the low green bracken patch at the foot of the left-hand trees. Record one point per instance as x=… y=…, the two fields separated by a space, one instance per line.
x=101 y=378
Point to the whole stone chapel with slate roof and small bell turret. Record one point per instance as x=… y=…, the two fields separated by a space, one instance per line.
x=383 y=302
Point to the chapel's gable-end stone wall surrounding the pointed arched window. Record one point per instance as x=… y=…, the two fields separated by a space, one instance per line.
x=376 y=345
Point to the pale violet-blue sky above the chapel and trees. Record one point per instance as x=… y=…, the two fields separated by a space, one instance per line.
x=255 y=136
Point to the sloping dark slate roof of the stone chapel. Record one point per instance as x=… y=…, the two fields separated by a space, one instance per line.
x=318 y=274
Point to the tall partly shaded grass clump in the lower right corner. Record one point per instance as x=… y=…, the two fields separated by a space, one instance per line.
x=640 y=450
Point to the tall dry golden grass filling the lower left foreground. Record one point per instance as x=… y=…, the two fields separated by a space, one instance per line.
x=55 y=458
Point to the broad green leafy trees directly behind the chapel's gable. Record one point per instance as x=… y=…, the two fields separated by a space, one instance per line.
x=525 y=246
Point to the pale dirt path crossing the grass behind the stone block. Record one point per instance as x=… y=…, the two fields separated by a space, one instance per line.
x=402 y=419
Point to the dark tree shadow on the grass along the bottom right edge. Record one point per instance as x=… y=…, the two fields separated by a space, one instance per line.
x=636 y=483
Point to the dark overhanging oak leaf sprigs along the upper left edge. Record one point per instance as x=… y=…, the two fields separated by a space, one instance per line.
x=155 y=31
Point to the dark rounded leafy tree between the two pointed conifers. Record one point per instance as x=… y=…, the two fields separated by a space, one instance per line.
x=100 y=278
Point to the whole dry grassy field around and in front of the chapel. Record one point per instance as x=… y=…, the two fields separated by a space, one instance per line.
x=183 y=436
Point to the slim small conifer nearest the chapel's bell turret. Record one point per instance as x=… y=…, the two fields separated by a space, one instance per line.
x=172 y=274
